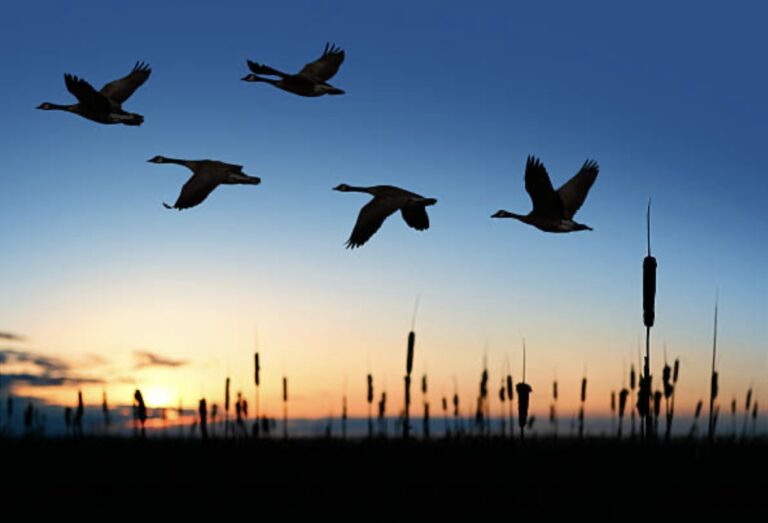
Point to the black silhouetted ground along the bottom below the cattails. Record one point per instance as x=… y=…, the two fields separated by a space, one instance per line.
x=477 y=476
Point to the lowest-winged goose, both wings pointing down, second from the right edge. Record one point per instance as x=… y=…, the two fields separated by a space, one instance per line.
x=386 y=200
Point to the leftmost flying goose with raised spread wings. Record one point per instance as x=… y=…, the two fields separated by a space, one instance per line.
x=104 y=106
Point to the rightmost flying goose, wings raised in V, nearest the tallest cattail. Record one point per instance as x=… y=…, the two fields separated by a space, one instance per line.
x=553 y=211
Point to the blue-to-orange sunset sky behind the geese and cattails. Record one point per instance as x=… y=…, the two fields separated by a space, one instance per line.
x=442 y=98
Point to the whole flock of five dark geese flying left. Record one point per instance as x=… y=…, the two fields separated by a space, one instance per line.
x=553 y=211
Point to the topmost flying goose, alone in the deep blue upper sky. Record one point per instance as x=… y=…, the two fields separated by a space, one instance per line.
x=310 y=81
